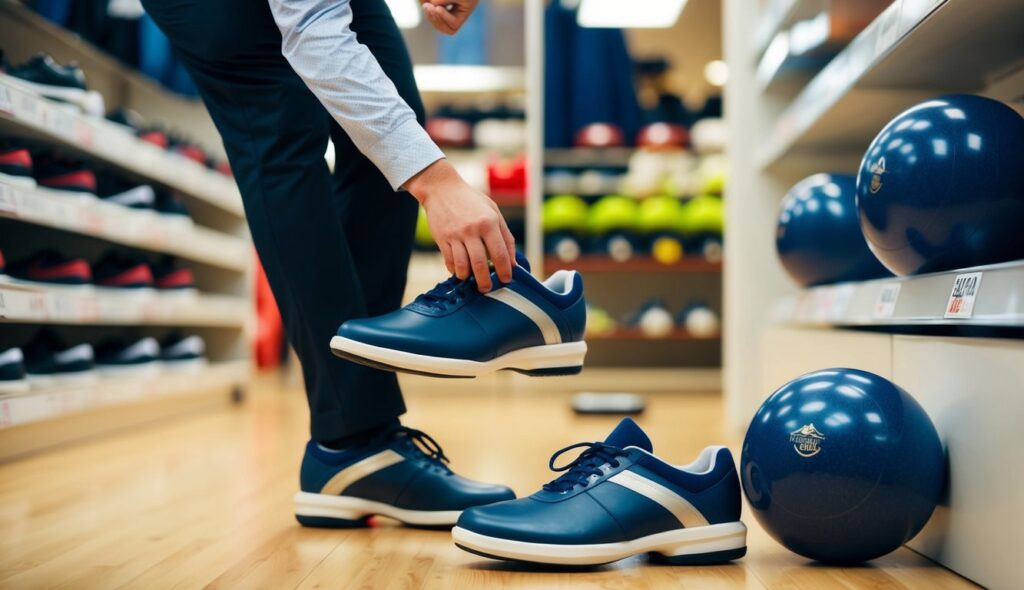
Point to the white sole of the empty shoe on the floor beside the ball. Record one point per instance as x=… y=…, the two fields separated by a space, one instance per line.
x=699 y=545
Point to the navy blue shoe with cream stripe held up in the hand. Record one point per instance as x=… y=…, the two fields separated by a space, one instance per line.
x=456 y=331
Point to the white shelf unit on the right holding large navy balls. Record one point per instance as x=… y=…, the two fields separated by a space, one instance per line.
x=916 y=50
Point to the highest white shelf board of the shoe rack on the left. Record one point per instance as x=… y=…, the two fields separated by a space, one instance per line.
x=26 y=114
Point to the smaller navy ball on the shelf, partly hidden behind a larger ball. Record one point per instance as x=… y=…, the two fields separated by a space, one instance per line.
x=819 y=237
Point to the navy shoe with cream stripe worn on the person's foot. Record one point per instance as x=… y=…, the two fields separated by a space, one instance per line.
x=403 y=475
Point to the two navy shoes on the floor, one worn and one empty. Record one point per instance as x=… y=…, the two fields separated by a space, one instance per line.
x=616 y=500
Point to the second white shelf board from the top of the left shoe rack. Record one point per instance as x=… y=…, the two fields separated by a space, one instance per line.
x=147 y=230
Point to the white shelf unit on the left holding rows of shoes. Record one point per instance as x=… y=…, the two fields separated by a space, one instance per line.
x=216 y=245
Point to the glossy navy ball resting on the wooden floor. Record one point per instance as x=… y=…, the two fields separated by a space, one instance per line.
x=842 y=467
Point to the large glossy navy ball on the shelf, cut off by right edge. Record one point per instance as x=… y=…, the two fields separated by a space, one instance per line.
x=943 y=187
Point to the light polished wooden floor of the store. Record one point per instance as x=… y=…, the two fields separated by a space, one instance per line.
x=205 y=501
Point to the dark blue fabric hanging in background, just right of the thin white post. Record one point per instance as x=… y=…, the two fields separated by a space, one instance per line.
x=589 y=78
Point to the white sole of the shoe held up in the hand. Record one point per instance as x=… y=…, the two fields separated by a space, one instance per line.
x=565 y=359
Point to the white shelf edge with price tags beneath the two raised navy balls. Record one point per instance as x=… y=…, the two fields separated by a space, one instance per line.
x=926 y=300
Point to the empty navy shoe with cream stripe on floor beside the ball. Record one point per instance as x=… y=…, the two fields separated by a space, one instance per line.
x=614 y=501
